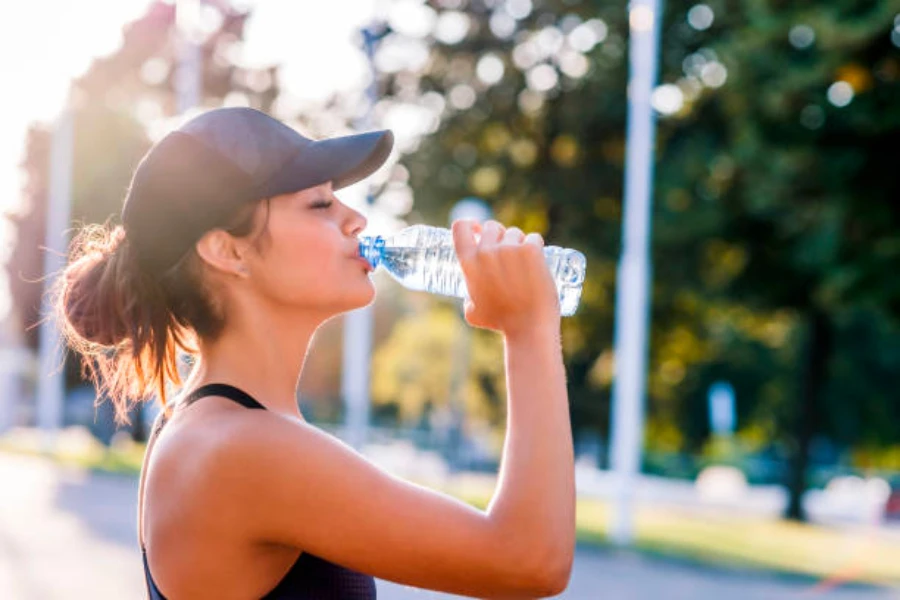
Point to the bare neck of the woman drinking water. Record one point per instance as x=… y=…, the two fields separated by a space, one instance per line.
x=262 y=355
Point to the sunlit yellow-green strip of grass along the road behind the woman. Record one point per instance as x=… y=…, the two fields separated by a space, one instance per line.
x=721 y=539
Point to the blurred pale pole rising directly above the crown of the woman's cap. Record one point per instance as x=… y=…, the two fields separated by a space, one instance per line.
x=188 y=76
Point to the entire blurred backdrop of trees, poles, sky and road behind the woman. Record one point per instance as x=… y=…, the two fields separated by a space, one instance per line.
x=758 y=453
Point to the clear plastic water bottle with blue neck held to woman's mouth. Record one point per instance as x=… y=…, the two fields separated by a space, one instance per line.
x=423 y=258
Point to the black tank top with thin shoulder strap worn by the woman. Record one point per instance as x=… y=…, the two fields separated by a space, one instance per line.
x=310 y=577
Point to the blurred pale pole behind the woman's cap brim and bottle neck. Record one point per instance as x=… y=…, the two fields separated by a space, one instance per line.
x=358 y=324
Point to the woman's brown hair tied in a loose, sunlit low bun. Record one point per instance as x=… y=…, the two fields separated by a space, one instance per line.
x=130 y=326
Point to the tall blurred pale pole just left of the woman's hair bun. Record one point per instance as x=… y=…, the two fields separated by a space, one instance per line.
x=51 y=381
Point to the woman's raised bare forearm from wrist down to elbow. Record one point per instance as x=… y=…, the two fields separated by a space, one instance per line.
x=535 y=497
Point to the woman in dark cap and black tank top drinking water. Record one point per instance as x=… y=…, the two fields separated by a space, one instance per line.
x=234 y=248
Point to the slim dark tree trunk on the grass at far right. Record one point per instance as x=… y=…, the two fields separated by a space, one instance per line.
x=818 y=351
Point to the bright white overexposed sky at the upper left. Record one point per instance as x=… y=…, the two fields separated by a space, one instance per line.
x=49 y=42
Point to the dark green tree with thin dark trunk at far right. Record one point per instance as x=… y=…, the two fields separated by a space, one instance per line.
x=791 y=162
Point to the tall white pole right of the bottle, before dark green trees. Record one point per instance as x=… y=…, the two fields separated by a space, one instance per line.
x=634 y=268
